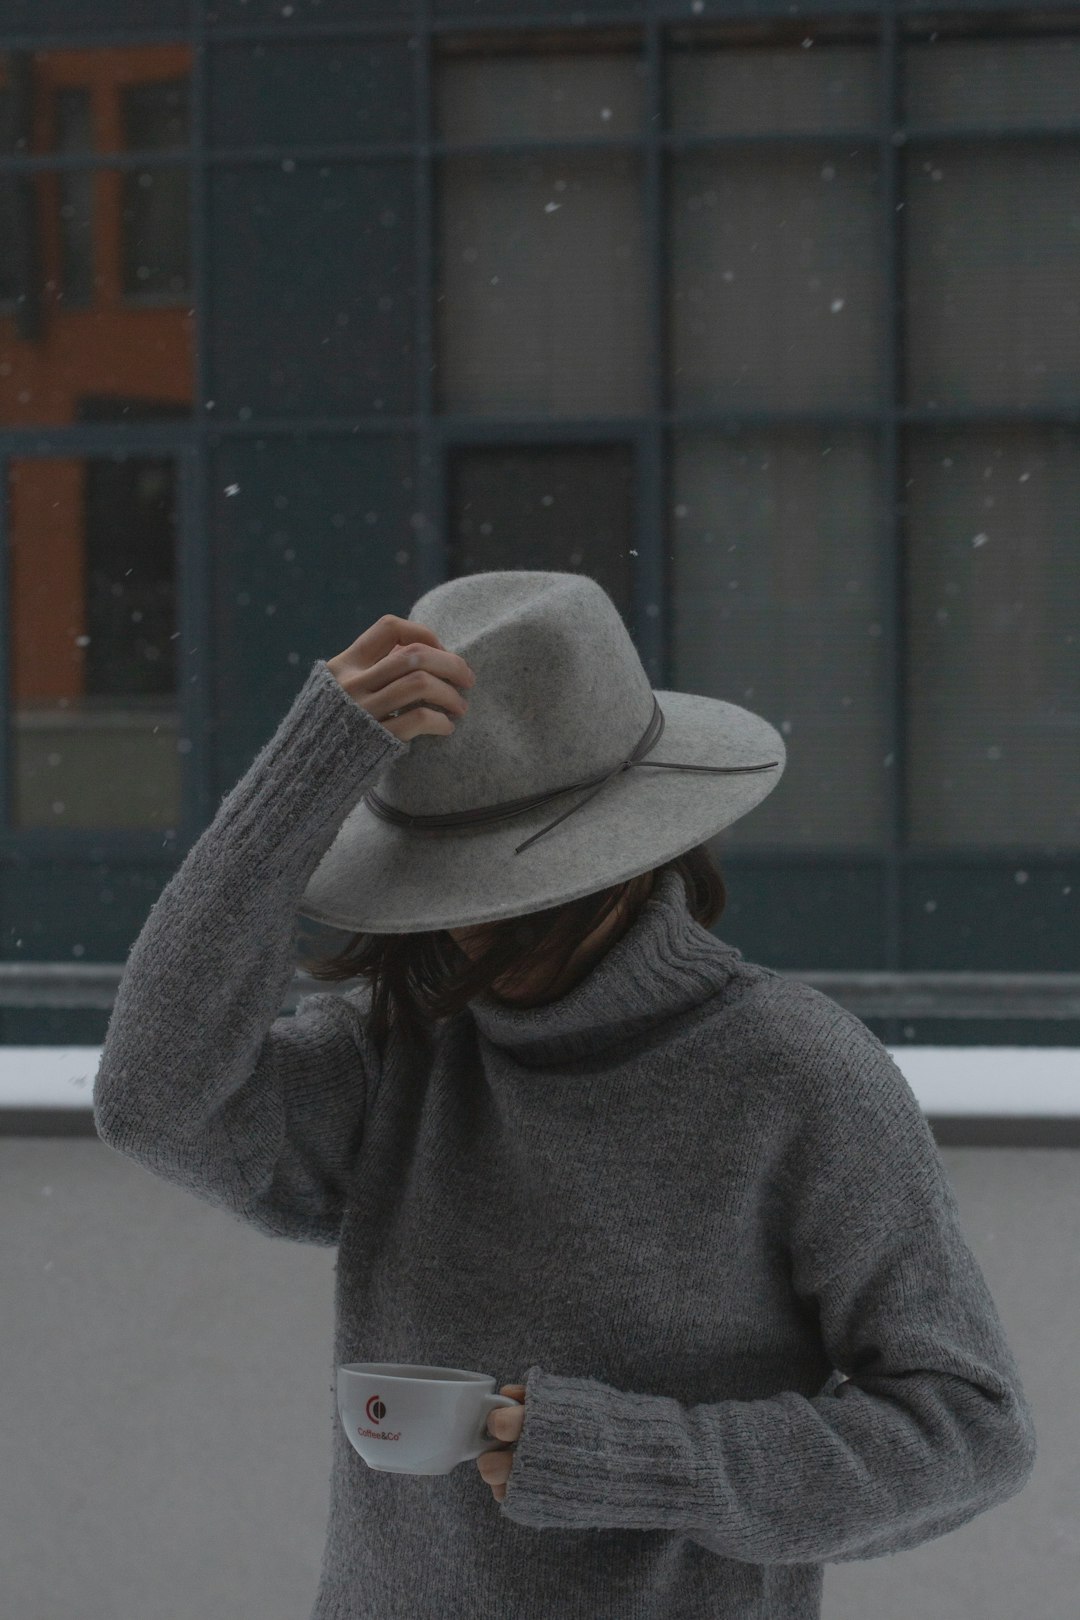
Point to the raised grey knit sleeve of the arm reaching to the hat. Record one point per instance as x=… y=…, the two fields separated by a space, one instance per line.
x=198 y=1080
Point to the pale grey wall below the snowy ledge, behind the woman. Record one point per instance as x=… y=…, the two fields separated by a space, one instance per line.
x=168 y=1402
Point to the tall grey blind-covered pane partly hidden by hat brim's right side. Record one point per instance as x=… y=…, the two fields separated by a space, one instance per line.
x=776 y=605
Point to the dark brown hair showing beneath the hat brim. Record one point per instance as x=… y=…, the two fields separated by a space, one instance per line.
x=422 y=978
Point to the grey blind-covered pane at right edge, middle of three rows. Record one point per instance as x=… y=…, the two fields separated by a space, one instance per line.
x=993 y=275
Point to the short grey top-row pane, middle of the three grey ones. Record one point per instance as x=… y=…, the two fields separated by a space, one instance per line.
x=776 y=88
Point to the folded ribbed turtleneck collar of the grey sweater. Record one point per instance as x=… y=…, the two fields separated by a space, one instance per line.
x=663 y=966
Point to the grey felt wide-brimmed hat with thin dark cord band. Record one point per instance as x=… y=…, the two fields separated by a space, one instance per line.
x=568 y=775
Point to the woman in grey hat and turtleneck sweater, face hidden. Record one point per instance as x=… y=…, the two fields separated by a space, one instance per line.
x=689 y=1206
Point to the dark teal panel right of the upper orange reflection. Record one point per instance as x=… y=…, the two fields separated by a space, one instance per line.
x=313 y=289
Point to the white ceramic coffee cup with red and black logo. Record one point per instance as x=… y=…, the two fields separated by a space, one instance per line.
x=410 y=1420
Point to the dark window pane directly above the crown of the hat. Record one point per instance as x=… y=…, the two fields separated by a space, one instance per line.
x=566 y=508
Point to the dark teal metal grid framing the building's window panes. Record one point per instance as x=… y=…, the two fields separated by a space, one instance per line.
x=438 y=437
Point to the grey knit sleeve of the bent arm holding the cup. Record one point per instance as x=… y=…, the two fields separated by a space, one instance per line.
x=932 y=1426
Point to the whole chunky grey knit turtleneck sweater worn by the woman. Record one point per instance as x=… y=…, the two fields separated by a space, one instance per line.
x=681 y=1204
